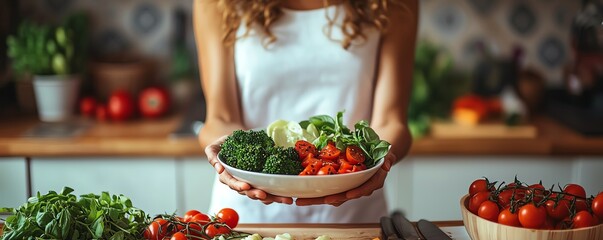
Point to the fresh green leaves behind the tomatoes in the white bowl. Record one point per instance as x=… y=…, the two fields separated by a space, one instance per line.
x=335 y=130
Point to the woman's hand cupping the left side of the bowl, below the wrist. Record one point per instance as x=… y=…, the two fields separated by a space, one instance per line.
x=242 y=188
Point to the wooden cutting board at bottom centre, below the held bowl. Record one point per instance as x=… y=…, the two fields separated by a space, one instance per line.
x=312 y=231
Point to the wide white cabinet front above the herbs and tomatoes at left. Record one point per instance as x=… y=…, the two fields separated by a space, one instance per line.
x=149 y=182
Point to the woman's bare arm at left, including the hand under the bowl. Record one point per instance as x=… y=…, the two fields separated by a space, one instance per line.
x=221 y=95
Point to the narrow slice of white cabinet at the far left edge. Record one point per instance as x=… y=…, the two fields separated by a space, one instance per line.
x=13 y=182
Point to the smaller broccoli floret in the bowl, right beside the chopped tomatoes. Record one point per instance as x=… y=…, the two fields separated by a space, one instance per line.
x=283 y=161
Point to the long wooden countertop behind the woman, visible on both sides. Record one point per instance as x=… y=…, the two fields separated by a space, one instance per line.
x=152 y=138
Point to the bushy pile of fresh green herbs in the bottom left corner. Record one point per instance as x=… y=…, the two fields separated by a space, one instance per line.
x=64 y=216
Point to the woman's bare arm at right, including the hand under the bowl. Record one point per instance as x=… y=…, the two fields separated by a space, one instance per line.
x=392 y=93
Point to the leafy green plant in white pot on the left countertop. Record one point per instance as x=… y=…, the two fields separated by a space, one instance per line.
x=53 y=56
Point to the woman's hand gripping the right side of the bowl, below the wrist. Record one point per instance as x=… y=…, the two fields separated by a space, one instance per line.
x=366 y=189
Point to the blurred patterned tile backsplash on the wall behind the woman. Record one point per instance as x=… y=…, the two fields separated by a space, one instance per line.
x=540 y=27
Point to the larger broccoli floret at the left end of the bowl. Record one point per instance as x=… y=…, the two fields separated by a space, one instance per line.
x=247 y=150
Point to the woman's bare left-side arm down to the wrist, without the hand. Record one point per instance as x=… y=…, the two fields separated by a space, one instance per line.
x=218 y=76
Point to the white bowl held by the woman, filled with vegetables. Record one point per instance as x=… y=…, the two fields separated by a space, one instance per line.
x=303 y=186
